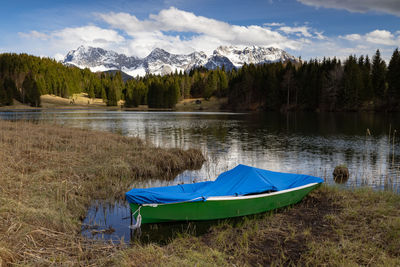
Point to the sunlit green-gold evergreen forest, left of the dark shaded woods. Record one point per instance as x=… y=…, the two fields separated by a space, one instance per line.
x=26 y=78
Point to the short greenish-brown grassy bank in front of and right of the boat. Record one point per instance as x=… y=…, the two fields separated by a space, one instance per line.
x=330 y=227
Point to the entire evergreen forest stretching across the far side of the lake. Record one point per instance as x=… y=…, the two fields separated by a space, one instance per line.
x=357 y=83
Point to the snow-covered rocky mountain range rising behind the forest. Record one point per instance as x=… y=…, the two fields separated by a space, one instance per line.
x=162 y=62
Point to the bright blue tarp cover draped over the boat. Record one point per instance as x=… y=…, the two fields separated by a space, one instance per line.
x=241 y=180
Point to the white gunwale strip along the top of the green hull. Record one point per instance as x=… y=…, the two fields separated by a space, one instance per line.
x=241 y=197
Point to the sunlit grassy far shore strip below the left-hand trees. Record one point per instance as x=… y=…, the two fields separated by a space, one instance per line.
x=82 y=101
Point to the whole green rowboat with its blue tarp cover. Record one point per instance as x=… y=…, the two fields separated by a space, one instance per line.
x=241 y=191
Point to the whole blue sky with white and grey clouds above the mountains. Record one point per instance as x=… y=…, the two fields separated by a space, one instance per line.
x=305 y=28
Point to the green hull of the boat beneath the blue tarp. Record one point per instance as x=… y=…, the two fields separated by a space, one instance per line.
x=220 y=208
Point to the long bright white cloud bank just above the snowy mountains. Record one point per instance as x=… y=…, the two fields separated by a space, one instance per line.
x=183 y=32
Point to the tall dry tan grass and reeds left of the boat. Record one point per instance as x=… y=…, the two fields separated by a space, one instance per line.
x=48 y=176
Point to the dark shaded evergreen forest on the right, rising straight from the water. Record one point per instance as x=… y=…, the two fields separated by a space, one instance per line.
x=329 y=85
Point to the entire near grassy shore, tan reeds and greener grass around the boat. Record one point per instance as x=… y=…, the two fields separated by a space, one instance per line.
x=49 y=174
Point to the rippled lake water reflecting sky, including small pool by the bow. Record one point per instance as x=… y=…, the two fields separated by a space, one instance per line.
x=307 y=143
